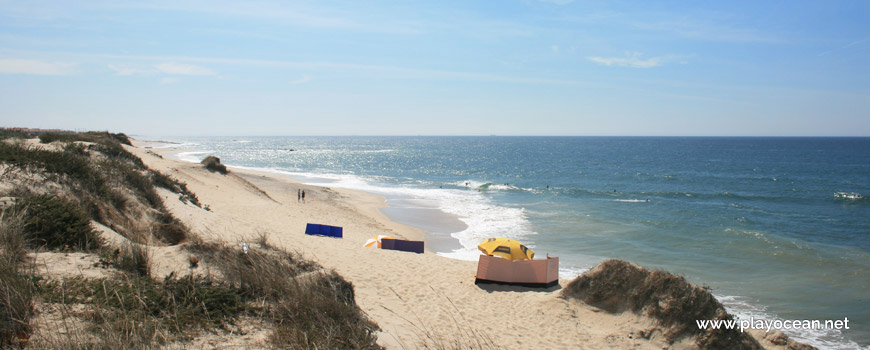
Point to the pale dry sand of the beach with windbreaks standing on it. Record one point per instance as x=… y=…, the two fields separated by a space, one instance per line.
x=415 y=298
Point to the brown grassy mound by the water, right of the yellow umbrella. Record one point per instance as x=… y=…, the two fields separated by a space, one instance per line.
x=617 y=286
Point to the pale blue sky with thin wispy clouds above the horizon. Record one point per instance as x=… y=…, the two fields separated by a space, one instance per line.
x=507 y=67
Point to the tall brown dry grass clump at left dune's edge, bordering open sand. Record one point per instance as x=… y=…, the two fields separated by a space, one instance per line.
x=311 y=308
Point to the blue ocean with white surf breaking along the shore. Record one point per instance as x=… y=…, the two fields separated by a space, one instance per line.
x=779 y=228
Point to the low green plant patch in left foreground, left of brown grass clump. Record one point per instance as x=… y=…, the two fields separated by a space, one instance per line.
x=139 y=310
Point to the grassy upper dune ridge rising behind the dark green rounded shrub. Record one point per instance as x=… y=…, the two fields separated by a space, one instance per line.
x=103 y=179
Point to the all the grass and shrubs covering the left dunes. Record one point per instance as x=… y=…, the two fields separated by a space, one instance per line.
x=58 y=190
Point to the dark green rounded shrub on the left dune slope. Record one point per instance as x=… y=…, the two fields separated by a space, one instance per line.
x=57 y=224
